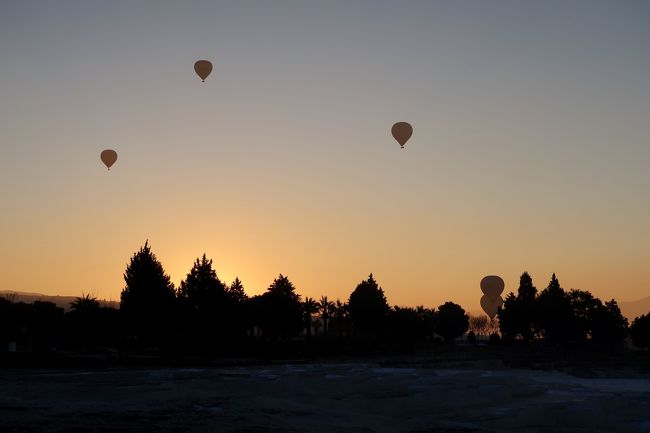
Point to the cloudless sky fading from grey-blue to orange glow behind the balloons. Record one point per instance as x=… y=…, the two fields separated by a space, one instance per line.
x=531 y=144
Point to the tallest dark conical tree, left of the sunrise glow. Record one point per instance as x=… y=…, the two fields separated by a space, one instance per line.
x=148 y=298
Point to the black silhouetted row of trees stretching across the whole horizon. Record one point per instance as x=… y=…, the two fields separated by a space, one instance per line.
x=204 y=316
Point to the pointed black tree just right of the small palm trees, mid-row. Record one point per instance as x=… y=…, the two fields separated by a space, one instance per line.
x=368 y=307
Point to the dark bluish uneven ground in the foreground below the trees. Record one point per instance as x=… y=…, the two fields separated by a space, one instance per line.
x=323 y=397
